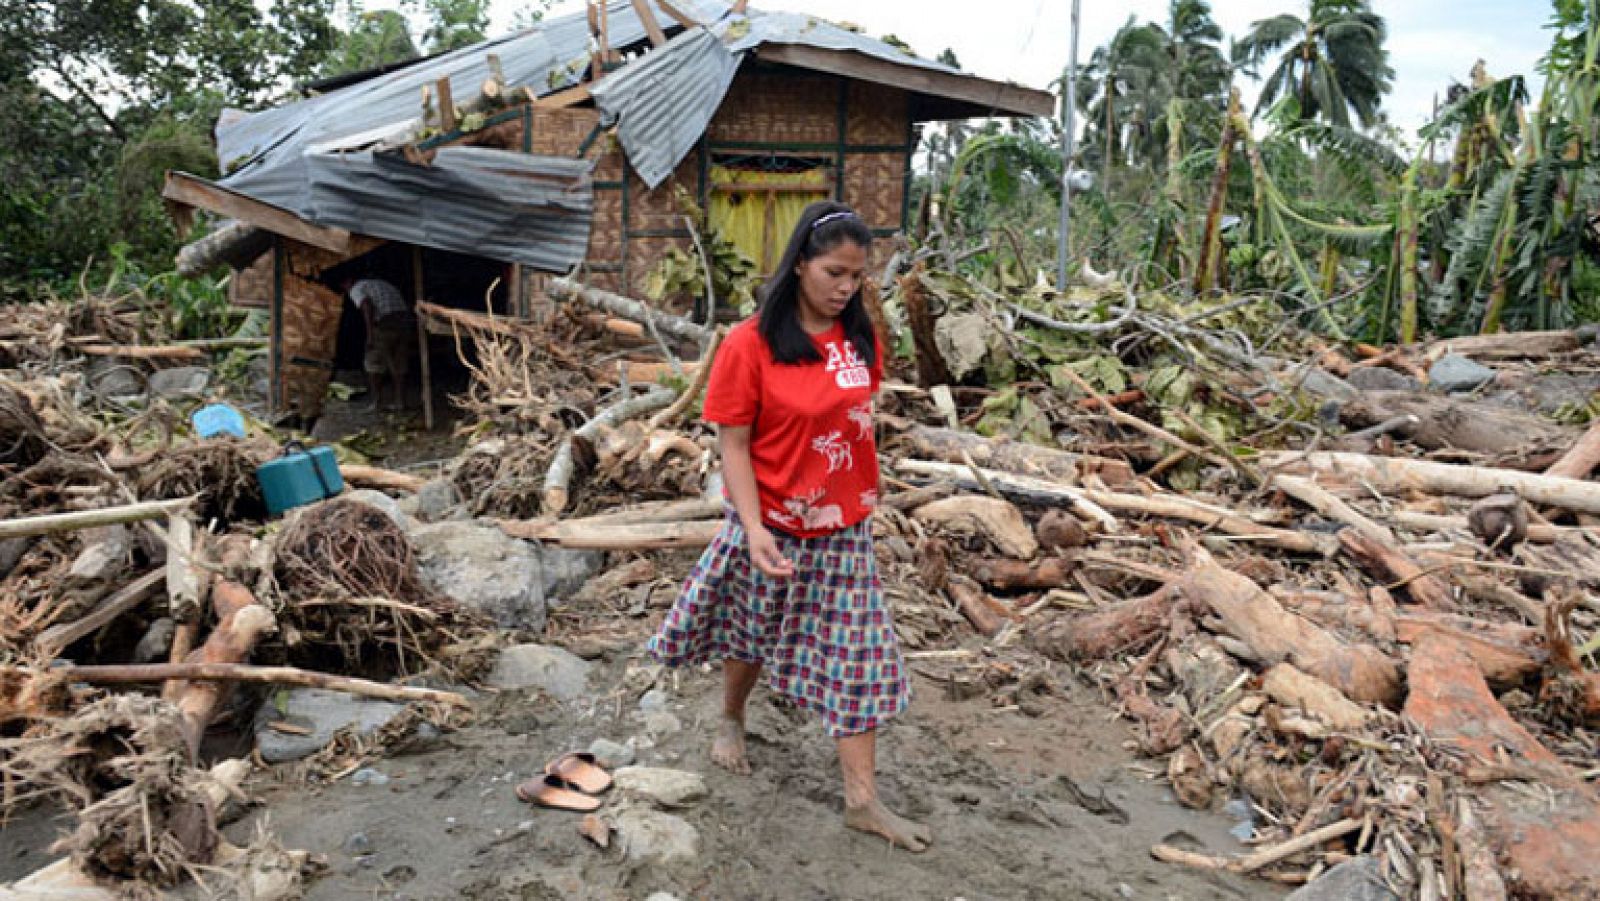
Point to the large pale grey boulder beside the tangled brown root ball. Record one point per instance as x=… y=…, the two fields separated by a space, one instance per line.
x=486 y=569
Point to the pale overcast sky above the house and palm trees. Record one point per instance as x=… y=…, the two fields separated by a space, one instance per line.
x=1431 y=42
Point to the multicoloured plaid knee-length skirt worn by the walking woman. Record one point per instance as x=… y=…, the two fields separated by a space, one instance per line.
x=823 y=636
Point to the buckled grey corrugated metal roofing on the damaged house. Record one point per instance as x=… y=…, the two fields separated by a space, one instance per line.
x=338 y=159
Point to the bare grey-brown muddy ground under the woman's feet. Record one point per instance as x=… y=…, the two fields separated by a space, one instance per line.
x=993 y=785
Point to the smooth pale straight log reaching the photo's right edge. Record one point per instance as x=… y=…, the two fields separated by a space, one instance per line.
x=1402 y=475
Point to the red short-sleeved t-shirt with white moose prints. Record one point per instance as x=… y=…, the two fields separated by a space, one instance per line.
x=812 y=446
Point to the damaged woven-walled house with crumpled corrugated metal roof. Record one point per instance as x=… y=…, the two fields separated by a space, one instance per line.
x=564 y=148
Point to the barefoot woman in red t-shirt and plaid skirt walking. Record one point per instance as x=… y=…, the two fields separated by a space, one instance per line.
x=791 y=583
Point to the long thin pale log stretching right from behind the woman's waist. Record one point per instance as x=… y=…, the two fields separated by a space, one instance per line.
x=1174 y=507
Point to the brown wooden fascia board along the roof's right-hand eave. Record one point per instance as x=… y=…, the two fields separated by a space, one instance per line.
x=998 y=97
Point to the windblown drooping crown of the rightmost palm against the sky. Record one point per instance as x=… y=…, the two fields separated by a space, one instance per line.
x=1334 y=62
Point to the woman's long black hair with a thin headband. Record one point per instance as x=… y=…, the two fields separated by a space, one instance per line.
x=822 y=228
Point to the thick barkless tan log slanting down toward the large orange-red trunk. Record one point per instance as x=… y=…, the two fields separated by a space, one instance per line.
x=1274 y=635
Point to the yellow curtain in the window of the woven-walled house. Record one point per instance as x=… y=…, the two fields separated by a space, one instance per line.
x=759 y=222
